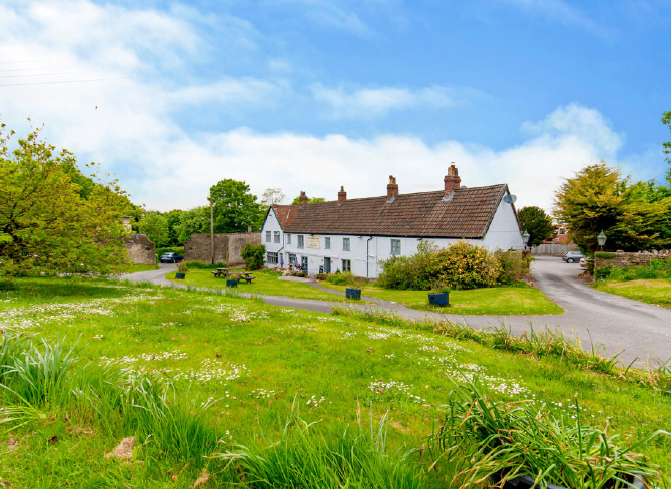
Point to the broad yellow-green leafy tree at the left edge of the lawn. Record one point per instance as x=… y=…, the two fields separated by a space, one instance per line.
x=48 y=222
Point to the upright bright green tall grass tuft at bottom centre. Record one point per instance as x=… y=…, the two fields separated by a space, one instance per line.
x=306 y=458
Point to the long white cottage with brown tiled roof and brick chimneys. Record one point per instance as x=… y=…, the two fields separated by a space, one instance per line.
x=356 y=234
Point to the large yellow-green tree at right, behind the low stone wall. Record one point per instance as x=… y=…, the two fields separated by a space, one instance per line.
x=633 y=216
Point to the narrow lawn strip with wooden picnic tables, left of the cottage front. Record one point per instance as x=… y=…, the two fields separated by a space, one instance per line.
x=265 y=283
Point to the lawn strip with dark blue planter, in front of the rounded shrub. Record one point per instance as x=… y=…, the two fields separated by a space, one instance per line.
x=496 y=301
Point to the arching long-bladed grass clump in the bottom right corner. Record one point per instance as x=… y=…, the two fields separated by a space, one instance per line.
x=484 y=440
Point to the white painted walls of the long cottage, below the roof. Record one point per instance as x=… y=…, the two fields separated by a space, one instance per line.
x=503 y=234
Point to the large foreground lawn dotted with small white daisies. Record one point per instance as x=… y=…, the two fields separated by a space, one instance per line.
x=239 y=365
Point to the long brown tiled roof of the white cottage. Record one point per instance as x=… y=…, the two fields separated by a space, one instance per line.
x=467 y=214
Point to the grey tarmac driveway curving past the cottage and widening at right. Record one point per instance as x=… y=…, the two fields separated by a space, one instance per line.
x=640 y=332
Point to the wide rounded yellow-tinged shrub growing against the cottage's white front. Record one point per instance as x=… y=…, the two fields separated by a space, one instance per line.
x=461 y=266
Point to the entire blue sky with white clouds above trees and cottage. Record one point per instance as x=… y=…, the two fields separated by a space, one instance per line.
x=314 y=94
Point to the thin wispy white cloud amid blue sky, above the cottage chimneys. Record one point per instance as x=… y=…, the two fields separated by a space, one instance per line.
x=367 y=103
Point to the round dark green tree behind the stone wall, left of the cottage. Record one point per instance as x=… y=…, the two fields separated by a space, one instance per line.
x=234 y=207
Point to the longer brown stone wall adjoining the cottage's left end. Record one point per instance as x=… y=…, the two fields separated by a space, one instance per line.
x=227 y=247
